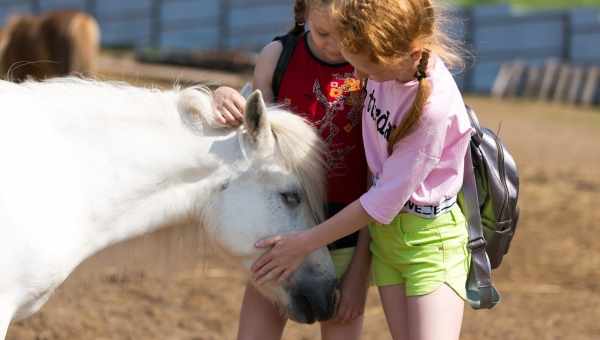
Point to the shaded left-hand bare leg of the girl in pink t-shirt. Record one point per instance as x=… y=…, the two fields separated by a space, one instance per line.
x=394 y=301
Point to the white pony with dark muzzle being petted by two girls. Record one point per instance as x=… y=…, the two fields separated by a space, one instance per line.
x=87 y=164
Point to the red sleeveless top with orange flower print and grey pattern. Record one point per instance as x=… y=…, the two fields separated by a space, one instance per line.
x=329 y=97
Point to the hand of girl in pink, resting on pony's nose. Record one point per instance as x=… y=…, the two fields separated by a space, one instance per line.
x=285 y=256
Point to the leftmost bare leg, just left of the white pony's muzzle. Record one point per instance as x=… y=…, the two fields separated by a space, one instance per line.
x=259 y=318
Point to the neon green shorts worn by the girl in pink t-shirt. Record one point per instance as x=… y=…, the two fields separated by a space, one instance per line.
x=421 y=253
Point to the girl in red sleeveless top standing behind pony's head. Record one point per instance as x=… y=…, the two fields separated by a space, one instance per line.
x=319 y=85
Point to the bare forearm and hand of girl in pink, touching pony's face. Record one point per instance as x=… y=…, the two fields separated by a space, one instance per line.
x=288 y=250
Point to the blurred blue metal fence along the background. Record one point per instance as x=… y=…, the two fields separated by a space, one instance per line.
x=494 y=34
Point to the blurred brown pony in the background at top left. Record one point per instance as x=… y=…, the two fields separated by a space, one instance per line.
x=49 y=45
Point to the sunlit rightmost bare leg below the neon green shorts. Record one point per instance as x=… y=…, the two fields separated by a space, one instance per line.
x=436 y=316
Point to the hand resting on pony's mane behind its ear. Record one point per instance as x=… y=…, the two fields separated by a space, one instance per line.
x=230 y=106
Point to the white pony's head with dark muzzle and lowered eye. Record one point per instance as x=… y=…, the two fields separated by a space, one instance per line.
x=276 y=187
